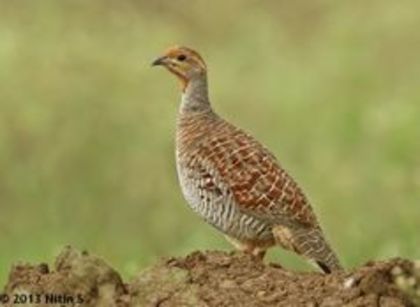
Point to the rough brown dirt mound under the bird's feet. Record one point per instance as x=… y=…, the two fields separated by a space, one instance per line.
x=209 y=279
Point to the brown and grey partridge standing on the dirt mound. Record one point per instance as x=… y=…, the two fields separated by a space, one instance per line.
x=233 y=181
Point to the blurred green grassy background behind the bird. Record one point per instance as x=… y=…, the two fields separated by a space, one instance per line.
x=87 y=126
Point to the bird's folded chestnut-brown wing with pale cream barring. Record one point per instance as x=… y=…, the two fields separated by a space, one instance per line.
x=260 y=187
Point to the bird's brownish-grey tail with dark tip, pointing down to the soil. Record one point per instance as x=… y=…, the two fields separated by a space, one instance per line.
x=310 y=243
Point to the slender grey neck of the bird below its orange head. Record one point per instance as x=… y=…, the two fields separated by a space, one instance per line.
x=195 y=96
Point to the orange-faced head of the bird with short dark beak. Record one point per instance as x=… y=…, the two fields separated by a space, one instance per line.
x=183 y=62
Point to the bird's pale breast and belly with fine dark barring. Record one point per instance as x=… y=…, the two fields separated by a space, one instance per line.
x=200 y=156
